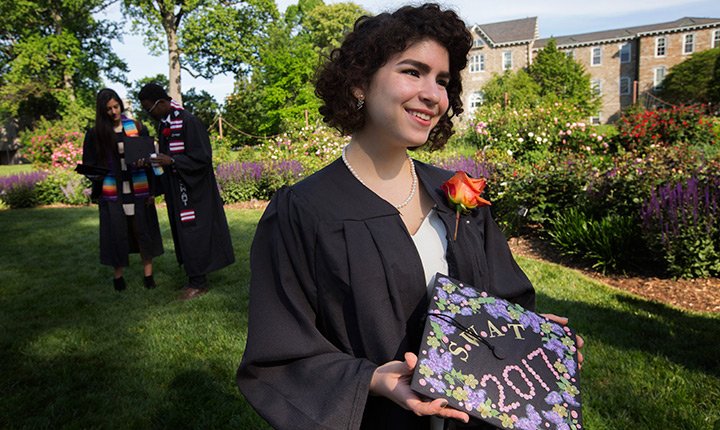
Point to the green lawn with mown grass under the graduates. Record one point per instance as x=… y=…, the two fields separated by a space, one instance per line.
x=76 y=354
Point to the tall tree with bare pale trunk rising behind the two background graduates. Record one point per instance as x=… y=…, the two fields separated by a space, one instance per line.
x=212 y=36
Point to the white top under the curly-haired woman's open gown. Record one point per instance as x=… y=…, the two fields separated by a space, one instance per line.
x=431 y=243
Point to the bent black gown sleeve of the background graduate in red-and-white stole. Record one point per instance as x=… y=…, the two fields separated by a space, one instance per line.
x=196 y=162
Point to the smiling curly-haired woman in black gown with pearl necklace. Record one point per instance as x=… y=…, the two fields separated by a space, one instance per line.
x=338 y=288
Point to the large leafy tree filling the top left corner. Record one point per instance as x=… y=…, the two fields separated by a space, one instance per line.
x=52 y=54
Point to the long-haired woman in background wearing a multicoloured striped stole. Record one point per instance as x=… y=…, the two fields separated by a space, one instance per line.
x=125 y=193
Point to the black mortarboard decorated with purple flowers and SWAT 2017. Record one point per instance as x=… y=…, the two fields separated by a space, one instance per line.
x=498 y=361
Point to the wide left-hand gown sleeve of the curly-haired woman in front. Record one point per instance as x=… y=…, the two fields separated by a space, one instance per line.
x=291 y=373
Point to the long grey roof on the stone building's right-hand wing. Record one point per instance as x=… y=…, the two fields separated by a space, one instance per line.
x=628 y=33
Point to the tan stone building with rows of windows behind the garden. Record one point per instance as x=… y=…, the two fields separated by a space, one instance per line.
x=624 y=64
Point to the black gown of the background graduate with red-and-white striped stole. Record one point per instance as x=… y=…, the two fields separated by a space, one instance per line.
x=195 y=209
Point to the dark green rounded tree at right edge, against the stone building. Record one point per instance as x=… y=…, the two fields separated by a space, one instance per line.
x=695 y=80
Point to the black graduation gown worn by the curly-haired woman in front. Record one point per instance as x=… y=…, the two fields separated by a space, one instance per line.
x=337 y=288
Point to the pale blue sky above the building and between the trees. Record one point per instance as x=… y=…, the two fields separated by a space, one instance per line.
x=555 y=18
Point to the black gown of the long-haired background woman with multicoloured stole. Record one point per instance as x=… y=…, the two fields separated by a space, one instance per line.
x=118 y=238
